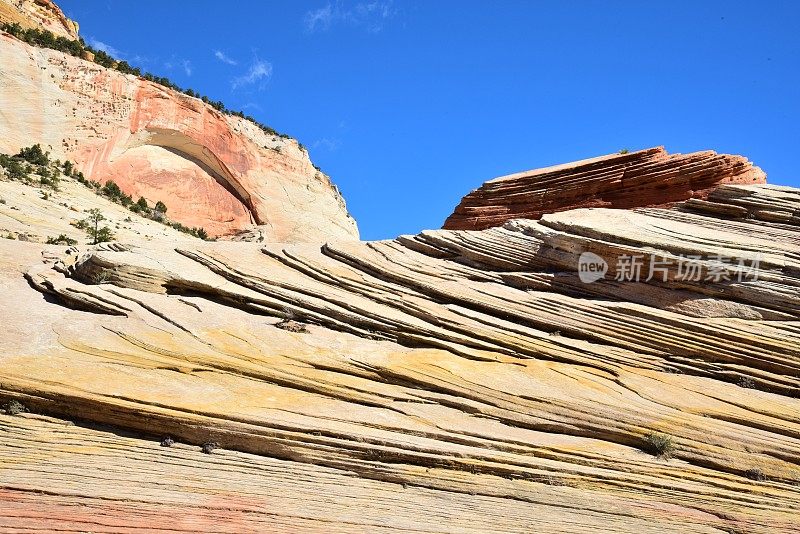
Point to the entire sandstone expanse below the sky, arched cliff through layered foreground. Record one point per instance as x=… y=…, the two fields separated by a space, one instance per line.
x=471 y=381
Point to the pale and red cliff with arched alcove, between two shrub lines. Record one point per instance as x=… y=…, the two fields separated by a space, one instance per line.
x=215 y=171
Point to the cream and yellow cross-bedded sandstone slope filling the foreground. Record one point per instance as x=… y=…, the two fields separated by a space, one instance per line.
x=448 y=381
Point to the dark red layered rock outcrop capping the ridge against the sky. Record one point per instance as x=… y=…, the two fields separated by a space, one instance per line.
x=646 y=178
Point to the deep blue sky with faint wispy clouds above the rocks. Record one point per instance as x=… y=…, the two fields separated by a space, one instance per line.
x=409 y=105
